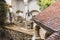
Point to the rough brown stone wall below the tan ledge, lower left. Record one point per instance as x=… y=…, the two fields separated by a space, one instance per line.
x=7 y=34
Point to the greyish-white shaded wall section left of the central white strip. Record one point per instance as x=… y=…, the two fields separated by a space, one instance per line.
x=17 y=5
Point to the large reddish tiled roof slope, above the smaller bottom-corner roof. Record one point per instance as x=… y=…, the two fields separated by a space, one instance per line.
x=50 y=17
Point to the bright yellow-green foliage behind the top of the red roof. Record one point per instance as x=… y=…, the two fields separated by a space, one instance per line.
x=45 y=3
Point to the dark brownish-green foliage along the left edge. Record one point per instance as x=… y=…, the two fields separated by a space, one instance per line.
x=3 y=11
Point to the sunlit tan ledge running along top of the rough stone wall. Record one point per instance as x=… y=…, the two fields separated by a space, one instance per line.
x=23 y=30
